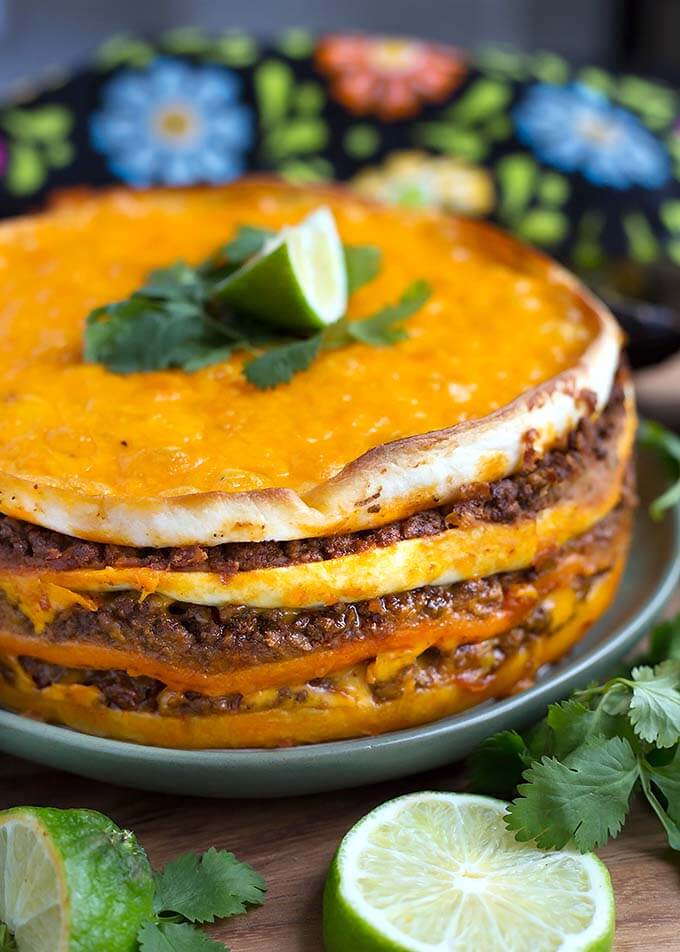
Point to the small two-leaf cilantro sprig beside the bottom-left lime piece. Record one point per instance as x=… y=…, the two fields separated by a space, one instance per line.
x=198 y=889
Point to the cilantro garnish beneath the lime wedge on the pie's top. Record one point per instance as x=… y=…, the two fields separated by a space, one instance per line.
x=176 y=319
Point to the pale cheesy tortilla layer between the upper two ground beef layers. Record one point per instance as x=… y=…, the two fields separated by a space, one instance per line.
x=451 y=556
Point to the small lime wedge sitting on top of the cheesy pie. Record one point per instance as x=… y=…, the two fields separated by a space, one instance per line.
x=298 y=281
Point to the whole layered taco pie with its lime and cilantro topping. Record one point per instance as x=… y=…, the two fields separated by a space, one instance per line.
x=280 y=466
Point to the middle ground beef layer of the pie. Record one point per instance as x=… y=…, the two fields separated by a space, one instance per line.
x=211 y=639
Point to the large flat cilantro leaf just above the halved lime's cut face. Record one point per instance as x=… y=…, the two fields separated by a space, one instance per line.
x=585 y=798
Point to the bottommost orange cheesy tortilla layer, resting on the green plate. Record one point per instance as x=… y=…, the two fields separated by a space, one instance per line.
x=329 y=715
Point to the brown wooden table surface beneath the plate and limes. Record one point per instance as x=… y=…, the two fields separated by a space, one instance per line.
x=291 y=842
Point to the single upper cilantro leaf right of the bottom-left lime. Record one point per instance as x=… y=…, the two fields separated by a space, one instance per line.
x=214 y=885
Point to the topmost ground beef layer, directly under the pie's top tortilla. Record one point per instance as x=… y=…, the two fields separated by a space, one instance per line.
x=589 y=452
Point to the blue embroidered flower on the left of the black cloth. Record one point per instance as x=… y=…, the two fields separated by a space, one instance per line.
x=173 y=123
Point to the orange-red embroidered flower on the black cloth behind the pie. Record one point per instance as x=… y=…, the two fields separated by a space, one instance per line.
x=388 y=77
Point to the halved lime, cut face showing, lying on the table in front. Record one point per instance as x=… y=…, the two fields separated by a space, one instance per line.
x=433 y=872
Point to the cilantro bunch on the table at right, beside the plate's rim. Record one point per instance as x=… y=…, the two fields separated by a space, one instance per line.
x=577 y=770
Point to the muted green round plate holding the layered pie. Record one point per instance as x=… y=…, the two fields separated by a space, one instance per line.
x=652 y=574
